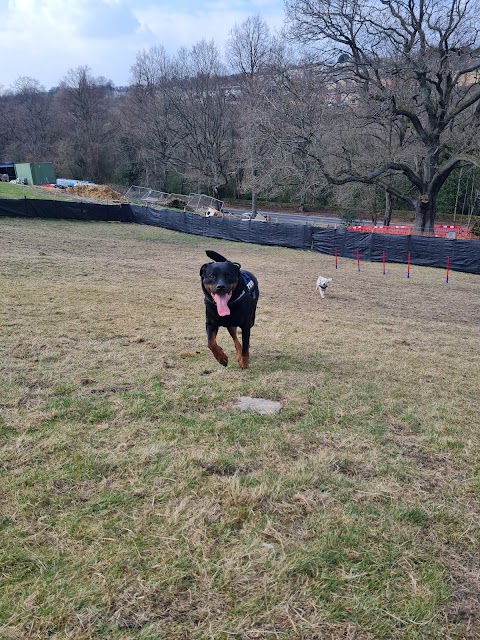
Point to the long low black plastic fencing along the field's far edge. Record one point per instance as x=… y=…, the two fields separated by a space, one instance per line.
x=463 y=255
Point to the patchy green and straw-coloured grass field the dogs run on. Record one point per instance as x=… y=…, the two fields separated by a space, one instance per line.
x=139 y=503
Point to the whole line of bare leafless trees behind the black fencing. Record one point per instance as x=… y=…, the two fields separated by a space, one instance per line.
x=364 y=106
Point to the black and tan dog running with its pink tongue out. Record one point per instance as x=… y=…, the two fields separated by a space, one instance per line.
x=231 y=296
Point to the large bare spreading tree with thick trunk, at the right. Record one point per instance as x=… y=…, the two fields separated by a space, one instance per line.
x=414 y=64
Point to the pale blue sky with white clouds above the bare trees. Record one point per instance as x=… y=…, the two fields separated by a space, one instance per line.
x=43 y=39
